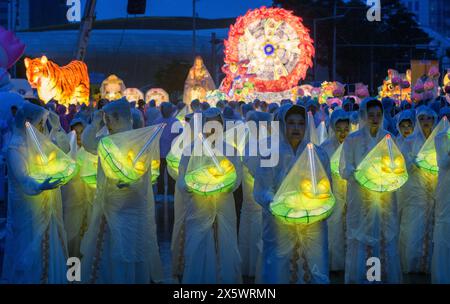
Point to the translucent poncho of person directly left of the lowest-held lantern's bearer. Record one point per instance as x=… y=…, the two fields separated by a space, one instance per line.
x=210 y=224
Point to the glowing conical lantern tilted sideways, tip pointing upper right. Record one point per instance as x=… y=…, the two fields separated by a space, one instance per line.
x=127 y=156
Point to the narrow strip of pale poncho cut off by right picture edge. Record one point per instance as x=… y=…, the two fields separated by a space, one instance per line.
x=440 y=267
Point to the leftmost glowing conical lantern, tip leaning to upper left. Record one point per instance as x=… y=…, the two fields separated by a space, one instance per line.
x=46 y=160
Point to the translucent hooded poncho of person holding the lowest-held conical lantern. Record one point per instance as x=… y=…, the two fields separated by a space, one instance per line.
x=292 y=252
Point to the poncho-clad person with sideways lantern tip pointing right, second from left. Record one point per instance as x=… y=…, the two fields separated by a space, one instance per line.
x=120 y=245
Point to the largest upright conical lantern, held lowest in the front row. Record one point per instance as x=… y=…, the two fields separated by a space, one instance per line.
x=305 y=194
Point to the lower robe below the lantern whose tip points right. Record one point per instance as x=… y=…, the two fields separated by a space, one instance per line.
x=120 y=245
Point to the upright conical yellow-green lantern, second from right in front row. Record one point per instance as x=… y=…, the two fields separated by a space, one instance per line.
x=383 y=169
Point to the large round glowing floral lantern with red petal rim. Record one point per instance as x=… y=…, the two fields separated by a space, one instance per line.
x=276 y=47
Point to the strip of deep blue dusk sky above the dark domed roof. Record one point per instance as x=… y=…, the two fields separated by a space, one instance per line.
x=107 y=9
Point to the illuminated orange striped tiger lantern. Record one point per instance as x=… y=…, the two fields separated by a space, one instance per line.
x=68 y=84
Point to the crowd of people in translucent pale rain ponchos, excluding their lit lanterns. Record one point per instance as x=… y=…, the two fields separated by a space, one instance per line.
x=230 y=237
